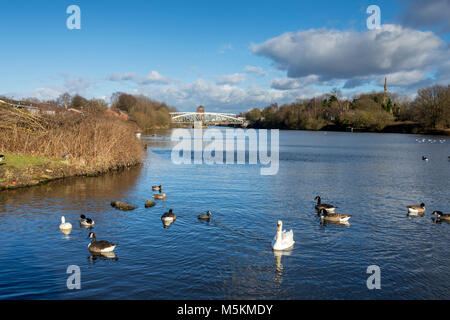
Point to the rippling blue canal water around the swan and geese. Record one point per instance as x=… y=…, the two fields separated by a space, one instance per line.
x=370 y=176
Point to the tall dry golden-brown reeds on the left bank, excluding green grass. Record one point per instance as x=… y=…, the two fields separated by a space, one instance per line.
x=94 y=142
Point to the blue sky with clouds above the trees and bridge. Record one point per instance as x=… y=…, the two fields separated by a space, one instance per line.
x=227 y=55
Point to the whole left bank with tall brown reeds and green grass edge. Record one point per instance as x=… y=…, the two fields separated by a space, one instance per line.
x=38 y=149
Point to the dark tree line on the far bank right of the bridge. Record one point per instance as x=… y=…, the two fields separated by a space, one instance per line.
x=370 y=111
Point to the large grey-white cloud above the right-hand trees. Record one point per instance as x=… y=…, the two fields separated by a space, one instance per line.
x=354 y=56
